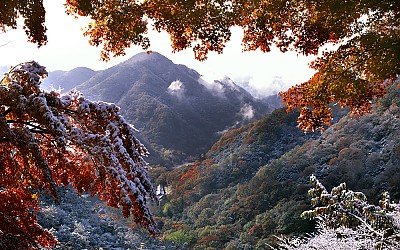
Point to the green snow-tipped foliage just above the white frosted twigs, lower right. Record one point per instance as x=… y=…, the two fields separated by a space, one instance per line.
x=343 y=207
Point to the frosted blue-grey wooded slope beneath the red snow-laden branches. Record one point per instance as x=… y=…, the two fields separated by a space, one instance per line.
x=83 y=222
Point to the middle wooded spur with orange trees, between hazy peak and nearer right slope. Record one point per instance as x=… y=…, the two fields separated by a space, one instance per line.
x=198 y=191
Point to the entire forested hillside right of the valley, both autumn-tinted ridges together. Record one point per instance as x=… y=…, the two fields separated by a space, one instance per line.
x=243 y=193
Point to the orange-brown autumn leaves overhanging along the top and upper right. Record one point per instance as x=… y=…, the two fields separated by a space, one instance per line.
x=365 y=35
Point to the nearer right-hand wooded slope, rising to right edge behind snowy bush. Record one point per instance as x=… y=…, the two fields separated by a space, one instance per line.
x=363 y=152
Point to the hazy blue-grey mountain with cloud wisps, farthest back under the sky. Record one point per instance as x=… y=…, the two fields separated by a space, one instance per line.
x=178 y=112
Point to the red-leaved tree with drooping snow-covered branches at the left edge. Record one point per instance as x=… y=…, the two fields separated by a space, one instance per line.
x=49 y=140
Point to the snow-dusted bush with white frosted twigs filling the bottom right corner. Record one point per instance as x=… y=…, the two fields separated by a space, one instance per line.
x=347 y=221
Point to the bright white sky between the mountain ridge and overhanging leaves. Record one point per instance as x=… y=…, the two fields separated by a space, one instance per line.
x=67 y=49
